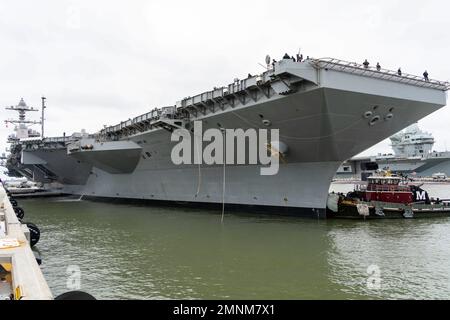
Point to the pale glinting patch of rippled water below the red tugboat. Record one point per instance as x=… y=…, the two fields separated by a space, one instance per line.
x=412 y=255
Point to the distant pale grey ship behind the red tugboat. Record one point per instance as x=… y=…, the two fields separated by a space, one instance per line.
x=413 y=157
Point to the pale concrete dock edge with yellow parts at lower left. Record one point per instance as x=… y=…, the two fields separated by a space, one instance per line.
x=20 y=276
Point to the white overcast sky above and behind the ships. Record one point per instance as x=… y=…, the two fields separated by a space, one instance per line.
x=101 y=62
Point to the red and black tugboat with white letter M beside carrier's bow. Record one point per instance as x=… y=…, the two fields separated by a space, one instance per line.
x=386 y=196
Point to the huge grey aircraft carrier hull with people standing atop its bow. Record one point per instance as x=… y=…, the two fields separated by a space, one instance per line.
x=327 y=110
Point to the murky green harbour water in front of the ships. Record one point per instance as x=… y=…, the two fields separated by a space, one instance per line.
x=138 y=252
